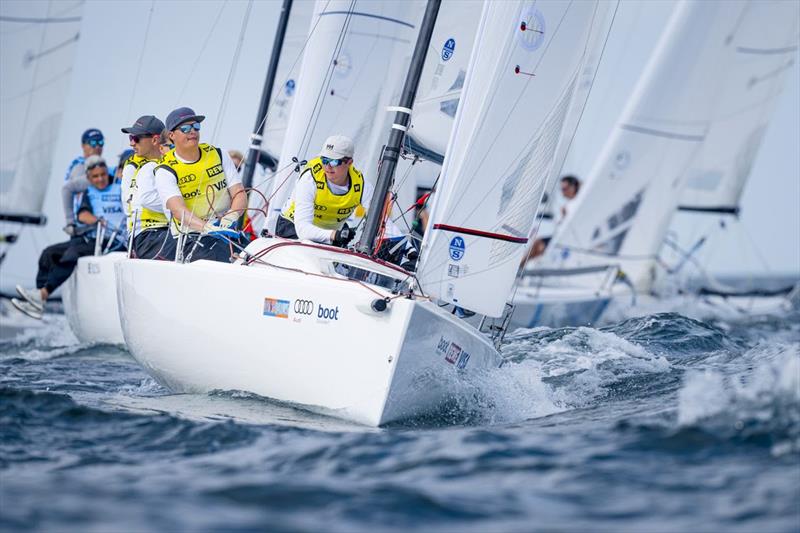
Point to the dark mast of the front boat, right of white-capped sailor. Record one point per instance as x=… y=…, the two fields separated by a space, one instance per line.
x=400 y=126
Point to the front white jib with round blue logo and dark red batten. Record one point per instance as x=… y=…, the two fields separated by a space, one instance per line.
x=526 y=64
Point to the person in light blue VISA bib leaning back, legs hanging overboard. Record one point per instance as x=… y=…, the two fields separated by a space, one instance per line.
x=101 y=205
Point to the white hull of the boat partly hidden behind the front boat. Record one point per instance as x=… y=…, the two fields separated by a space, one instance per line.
x=90 y=300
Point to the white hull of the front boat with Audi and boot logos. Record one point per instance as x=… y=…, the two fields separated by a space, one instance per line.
x=297 y=336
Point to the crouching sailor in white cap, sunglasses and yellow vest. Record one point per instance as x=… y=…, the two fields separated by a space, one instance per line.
x=328 y=191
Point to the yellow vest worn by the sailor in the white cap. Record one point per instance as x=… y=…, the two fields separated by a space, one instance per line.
x=331 y=210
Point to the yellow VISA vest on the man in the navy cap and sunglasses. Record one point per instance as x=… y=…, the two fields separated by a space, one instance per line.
x=202 y=184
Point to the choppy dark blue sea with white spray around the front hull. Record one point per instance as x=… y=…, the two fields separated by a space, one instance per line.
x=654 y=423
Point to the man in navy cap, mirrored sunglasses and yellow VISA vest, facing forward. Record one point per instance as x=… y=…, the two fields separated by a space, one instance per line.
x=198 y=183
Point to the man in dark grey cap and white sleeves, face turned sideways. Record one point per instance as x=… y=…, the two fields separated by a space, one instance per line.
x=146 y=218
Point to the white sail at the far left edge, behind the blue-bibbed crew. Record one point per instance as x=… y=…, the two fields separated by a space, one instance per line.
x=37 y=49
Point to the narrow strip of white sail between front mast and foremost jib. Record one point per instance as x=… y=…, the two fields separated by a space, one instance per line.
x=443 y=78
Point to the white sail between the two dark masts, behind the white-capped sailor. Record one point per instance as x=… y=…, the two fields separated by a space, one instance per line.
x=344 y=69
